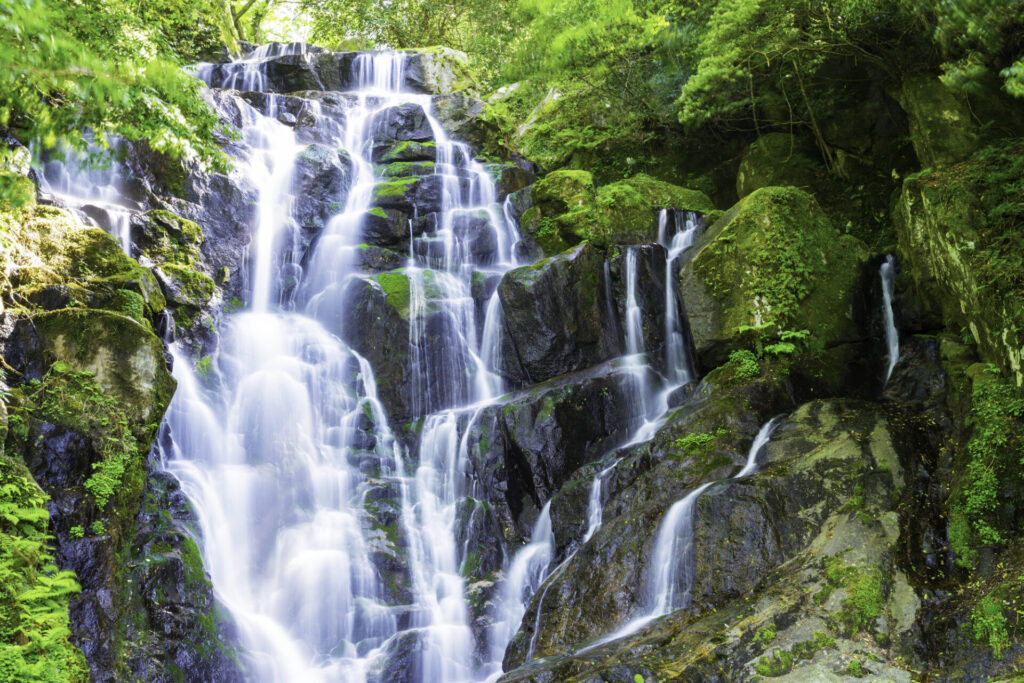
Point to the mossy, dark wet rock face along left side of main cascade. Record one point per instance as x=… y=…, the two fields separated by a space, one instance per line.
x=94 y=387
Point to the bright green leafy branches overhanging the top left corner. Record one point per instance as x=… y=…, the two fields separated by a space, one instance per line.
x=83 y=72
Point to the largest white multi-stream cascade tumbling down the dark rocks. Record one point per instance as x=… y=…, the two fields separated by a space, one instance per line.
x=287 y=453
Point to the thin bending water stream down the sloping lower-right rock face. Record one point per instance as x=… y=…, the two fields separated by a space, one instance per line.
x=670 y=577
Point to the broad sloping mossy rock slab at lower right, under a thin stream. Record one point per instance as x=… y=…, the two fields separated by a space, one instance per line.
x=798 y=550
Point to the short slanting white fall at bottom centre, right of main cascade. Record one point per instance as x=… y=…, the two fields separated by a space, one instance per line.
x=525 y=576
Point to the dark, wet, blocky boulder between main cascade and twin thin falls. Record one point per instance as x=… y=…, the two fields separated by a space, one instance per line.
x=558 y=316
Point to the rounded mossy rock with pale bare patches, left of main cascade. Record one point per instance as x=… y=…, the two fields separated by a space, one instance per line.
x=126 y=359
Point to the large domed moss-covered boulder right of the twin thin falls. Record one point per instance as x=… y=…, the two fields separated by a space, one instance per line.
x=774 y=264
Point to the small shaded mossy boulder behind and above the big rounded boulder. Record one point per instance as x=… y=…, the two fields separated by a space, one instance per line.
x=777 y=159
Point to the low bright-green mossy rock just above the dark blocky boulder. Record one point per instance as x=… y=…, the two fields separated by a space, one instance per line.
x=569 y=209
